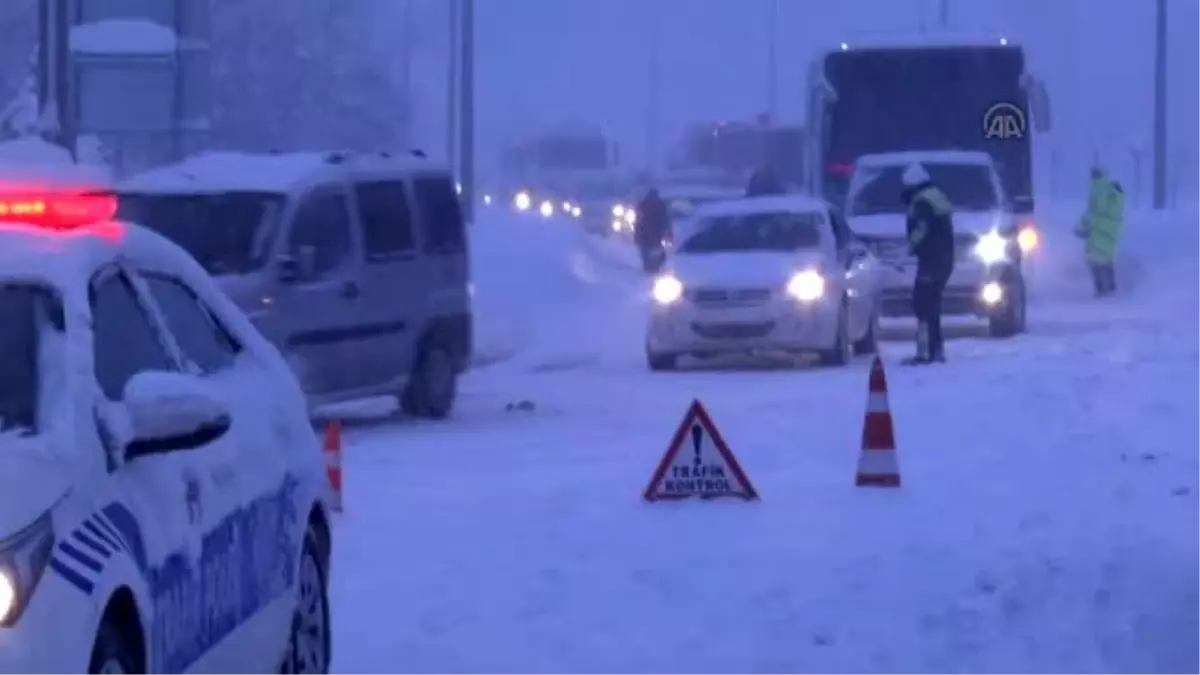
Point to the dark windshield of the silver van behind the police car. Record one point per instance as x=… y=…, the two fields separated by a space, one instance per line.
x=226 y=232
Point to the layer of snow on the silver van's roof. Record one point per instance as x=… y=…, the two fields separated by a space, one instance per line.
x=225 y=172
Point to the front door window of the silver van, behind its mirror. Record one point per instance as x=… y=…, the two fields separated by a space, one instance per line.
x=322 y=226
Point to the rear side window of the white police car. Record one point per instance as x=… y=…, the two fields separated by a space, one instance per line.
x=201 y=338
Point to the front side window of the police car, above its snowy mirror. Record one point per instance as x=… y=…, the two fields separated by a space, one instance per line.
x=125 y=342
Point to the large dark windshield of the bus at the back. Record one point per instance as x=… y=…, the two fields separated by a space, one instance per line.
x=893 y=100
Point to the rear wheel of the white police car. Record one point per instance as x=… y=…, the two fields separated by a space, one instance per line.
x=309 y=652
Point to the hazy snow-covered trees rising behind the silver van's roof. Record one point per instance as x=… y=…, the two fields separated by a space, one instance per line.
x=316 y=76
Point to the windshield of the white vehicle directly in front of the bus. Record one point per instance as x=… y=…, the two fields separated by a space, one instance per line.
x=968 y=187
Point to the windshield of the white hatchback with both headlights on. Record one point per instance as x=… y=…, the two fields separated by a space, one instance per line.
x=753 y=232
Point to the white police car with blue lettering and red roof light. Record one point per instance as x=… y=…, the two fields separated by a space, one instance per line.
x=163 y=495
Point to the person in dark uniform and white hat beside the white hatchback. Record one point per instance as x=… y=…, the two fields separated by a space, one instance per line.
x=932 y=240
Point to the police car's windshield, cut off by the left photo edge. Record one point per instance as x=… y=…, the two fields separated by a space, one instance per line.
x=29 y=316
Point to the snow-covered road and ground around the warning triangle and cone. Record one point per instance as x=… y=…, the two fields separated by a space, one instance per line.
x=1043 y=527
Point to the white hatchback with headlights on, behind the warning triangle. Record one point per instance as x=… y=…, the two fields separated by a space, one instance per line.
x=765 y=274
